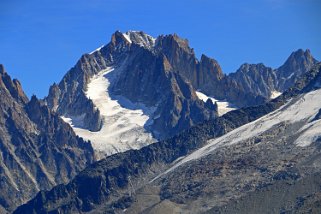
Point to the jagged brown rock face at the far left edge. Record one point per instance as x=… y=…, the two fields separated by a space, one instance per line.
x=38 y=150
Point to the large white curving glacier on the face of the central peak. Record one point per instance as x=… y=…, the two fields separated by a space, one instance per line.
x=124 y=122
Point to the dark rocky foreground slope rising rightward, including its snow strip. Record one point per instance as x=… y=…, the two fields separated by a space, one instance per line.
x=262 y=164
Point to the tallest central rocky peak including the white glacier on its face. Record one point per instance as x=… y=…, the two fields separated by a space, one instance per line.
x=141 y=82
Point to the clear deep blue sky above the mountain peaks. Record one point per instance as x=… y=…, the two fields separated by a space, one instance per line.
x=40 y=40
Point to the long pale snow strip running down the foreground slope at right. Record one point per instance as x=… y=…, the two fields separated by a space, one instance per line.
x=301 y=109
